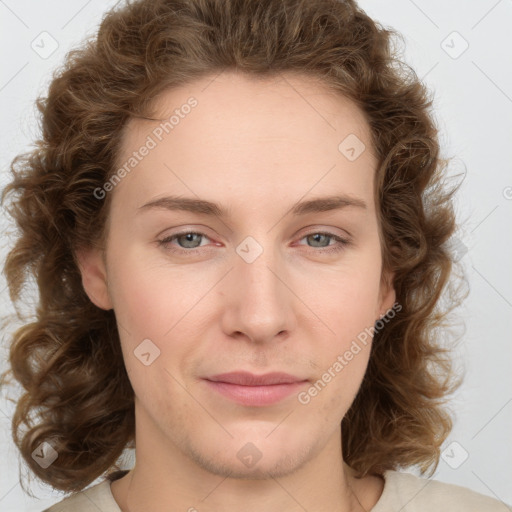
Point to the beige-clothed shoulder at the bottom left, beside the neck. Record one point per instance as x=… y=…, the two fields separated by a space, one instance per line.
x=96 y=497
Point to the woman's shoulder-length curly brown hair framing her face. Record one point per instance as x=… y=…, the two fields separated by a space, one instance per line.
x=77 y=394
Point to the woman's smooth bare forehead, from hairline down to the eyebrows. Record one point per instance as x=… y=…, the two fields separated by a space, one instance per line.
x=284 y=135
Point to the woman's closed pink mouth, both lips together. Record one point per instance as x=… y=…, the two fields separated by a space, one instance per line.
x=255 y=390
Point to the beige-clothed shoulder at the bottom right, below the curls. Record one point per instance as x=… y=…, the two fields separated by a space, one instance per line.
x=416 y=494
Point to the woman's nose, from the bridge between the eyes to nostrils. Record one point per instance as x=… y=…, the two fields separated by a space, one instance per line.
x=260 y=304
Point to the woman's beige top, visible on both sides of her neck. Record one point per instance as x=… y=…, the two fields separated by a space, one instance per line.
x=402 y=491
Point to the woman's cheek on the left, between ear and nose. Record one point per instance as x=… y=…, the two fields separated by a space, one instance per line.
x=154 y=306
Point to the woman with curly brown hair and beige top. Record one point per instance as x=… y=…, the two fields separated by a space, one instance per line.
x=238 y=224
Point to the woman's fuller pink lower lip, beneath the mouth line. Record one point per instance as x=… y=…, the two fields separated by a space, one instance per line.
x=256 y=395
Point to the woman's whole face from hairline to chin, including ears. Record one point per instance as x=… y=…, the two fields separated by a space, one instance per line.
x=264 y=277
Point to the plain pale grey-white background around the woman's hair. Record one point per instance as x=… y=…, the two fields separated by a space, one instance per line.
x=473 y=103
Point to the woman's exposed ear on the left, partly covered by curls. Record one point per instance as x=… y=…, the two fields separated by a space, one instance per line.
x=92 y=266
